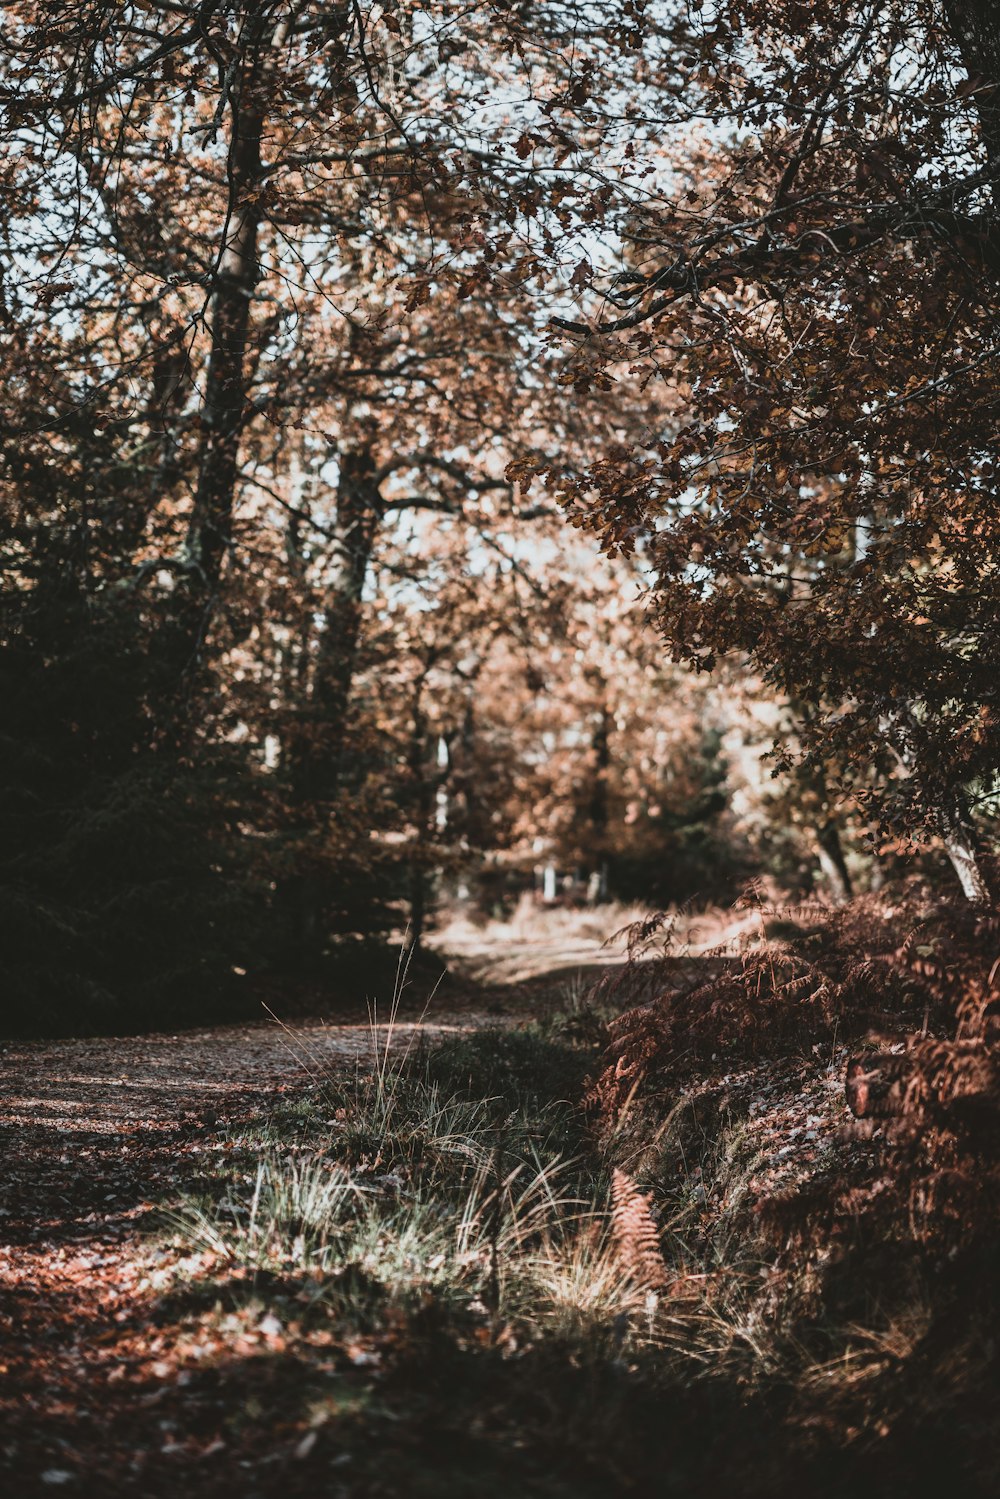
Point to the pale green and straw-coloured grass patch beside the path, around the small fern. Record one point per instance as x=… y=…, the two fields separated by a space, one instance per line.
x=392 y=1185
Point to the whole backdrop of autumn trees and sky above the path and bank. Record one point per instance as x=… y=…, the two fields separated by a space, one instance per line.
x=322 y=322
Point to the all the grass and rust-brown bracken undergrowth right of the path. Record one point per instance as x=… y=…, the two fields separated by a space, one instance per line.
x=575 y=1237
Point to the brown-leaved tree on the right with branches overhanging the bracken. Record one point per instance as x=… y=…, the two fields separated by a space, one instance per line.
x=815 y=277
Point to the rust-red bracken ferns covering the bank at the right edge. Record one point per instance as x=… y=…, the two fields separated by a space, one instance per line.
x=920 y=1167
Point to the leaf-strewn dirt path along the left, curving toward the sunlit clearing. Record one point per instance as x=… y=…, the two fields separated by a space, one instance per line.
x=98 y=1138
